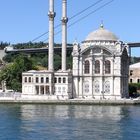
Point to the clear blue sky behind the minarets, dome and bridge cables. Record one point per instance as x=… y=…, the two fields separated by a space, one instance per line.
x=24 y=20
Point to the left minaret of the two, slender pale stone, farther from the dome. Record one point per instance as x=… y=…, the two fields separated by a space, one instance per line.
x=51 y=15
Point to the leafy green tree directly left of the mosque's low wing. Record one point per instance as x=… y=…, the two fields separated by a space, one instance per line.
x=12 y=73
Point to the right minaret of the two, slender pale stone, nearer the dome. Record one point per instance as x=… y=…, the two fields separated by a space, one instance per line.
x=64 y=34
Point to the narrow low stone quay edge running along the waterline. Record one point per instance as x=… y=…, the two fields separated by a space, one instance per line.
x=73 y=102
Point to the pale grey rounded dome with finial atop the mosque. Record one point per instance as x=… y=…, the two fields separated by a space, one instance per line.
x=101 y=35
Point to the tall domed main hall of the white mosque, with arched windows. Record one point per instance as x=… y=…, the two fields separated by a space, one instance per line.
x=100 y=67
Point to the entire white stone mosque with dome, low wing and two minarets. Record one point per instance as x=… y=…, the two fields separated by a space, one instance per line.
x=100 y=67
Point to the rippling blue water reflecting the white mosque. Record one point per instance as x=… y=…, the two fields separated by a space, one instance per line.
x=69 y=122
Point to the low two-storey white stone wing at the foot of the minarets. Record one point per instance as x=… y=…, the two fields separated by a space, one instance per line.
x=57 y=84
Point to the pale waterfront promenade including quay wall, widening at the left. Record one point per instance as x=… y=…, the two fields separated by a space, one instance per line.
x=18 y=98
